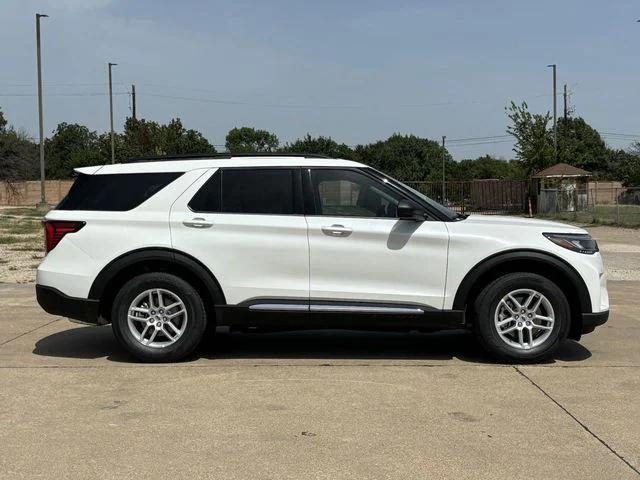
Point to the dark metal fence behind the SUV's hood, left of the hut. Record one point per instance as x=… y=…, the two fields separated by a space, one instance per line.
x=489 y=197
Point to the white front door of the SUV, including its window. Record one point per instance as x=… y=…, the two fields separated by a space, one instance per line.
x=361 y=252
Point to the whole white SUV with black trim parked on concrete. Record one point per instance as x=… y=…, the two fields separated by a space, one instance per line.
x=164 y=248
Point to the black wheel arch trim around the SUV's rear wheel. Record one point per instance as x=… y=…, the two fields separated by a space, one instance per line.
x=118 y=271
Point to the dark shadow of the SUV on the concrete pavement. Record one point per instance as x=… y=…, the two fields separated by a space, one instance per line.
x=330 y=345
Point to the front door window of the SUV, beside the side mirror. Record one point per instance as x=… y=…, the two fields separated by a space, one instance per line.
x=346 y=193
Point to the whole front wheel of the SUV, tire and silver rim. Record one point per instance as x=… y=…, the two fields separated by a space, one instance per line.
x=547 y=334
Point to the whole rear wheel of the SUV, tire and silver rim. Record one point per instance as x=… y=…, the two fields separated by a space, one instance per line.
x=185 y=312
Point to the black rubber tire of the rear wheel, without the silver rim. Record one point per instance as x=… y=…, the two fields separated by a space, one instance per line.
x=196 y=317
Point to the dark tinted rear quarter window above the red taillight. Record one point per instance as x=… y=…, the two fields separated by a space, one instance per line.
x=114 y=192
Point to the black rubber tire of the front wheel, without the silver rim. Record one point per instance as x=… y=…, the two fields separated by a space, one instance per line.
x=487 y=304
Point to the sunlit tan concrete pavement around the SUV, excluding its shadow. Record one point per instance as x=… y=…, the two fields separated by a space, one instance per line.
x=315 y=405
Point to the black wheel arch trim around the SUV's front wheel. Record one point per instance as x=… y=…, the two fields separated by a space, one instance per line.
x=532 y=261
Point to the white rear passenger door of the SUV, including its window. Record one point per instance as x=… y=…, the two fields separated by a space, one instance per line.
x=247 y=226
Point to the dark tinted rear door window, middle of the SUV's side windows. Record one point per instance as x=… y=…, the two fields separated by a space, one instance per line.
x=251 y=191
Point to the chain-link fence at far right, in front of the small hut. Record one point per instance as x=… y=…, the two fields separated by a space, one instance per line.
x=619 y=206
